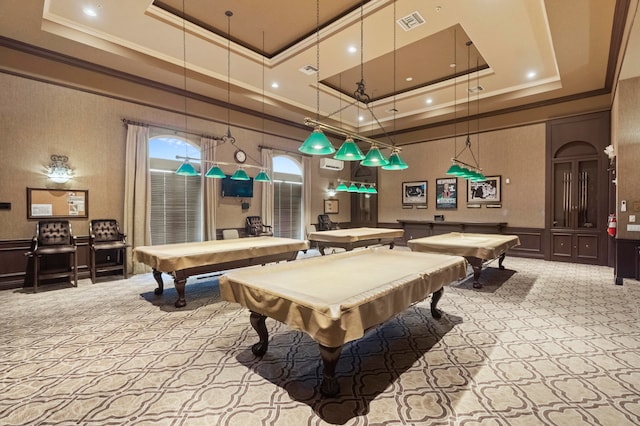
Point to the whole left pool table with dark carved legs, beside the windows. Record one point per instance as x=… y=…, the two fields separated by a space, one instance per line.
x=187 y=259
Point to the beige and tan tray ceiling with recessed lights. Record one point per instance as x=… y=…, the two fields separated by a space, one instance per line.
x=572 y=46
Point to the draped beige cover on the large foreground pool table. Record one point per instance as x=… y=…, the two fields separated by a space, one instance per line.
x=335 y=299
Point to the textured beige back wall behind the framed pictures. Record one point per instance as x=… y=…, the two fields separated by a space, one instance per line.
x=516 y=154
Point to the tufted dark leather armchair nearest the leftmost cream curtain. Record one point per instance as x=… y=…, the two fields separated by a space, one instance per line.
x=105 y=235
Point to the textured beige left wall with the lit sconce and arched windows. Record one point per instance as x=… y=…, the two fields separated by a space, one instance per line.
x=39 y=119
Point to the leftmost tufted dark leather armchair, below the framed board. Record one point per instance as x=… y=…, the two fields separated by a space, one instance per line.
x=53 y=238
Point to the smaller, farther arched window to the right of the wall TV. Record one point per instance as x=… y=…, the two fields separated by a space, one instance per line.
x=287 y=197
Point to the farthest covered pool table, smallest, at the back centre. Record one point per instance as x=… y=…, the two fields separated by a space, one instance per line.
x=351 y=238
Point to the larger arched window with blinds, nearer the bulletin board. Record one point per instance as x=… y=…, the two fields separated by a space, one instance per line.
x=176 y=201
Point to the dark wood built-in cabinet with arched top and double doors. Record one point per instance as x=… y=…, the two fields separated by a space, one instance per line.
x=577 y=189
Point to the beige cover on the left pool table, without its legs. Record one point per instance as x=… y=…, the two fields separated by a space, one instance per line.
x=175 y=257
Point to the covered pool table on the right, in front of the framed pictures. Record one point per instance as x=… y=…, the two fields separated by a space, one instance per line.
x=478 y=249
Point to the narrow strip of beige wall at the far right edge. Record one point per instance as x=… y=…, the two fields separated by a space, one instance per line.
x=626 y=121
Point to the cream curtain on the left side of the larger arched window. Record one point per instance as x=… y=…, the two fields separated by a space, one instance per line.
x=137 y=189
